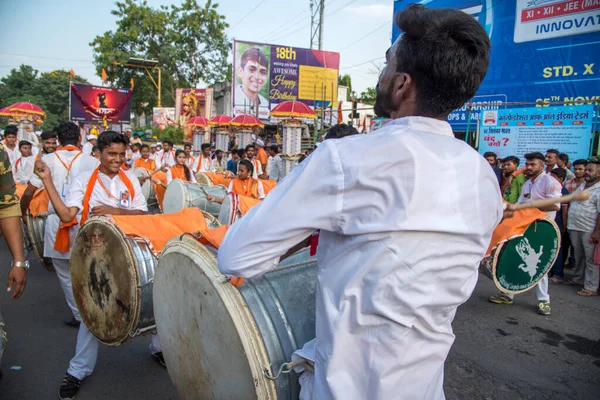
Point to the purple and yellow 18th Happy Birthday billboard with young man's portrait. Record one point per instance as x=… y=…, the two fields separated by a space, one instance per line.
x=265 y=75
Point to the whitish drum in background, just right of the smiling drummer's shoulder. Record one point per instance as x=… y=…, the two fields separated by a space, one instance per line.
x=182 y=195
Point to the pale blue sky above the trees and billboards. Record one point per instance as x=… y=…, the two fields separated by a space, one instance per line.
x=55 y=34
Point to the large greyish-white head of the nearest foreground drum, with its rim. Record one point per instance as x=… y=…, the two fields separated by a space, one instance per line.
x=210 y=342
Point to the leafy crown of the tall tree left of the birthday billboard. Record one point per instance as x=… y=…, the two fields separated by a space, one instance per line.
x=188 y=41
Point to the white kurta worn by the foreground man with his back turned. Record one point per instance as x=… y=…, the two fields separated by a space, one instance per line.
x=406 y=213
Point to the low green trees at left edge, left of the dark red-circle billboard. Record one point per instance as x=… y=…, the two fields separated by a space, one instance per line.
x=49 y=90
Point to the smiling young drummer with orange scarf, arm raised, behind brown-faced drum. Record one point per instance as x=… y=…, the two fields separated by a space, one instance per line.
x=106 y=190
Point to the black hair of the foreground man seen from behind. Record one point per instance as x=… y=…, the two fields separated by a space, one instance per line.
x=446 y=52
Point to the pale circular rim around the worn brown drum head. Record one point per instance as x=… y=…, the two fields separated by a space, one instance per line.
x=136 y=293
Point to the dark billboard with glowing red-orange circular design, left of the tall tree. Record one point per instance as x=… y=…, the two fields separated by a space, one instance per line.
x=93 y=103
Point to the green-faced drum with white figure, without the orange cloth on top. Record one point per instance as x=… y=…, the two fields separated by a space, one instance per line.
x=518 y=264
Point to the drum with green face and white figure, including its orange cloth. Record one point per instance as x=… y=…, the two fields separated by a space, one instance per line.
x=523 y=250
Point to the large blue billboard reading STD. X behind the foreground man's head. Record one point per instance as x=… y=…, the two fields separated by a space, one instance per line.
x=543 y=51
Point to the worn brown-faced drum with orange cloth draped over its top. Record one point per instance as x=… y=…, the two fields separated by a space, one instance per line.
x=112 y=270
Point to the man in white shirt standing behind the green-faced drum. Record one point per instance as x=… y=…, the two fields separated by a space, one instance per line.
x=539 y=186
